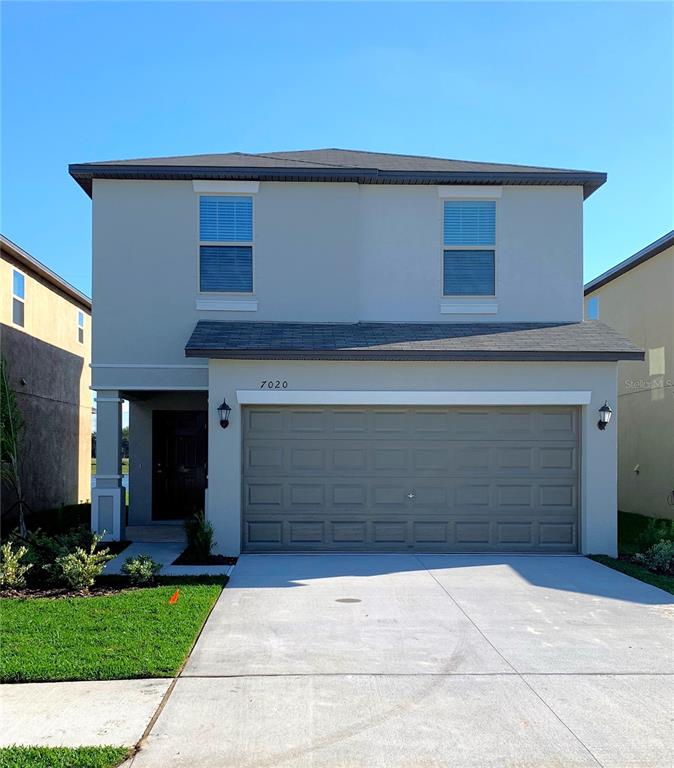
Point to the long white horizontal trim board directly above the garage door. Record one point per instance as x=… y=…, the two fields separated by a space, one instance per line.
x=394 y=397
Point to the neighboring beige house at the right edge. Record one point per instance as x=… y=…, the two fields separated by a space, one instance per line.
x=636 y=297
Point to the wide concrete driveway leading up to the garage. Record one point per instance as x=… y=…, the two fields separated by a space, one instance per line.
x=402 y=661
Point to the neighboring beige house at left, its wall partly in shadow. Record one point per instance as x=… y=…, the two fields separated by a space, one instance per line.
x=45 y=337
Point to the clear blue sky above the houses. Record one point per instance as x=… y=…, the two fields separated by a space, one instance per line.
x=574 y=85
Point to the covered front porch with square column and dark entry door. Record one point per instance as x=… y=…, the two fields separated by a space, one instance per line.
x=167 y=480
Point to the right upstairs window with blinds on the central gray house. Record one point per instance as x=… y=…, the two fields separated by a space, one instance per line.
x=469 y=248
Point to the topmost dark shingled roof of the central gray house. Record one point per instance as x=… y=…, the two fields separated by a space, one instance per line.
x=331 y=165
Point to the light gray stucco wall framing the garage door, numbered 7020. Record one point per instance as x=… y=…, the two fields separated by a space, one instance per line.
x=598 y=448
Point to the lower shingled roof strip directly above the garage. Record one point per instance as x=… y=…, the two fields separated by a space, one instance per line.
x=584 y=341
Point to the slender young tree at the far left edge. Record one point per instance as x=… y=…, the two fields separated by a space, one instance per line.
x=11 y=437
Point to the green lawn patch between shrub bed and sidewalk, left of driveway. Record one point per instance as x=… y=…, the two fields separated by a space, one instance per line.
x=124 y=635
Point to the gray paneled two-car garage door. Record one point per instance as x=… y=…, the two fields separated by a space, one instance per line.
x=410 y=479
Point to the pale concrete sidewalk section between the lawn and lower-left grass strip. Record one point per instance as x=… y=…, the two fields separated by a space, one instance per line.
x=100 y=713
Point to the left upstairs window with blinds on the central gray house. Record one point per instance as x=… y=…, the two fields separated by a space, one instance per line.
x=226 y=244
